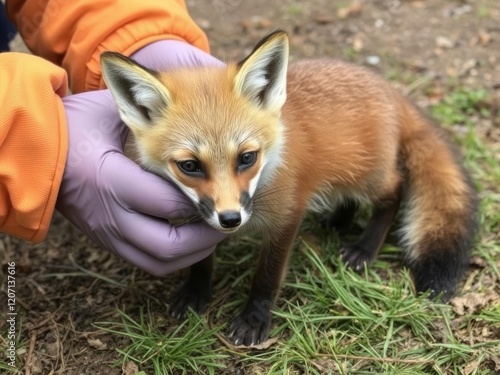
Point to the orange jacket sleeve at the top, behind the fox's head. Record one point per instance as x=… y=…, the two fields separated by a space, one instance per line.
x=73 y=33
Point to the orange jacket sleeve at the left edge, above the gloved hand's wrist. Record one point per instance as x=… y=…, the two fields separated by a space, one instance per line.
x=33 y=143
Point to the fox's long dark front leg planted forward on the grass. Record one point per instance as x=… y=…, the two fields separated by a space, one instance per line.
x=252 y=325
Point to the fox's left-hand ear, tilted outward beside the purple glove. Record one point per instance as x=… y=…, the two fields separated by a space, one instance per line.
x=138 y=93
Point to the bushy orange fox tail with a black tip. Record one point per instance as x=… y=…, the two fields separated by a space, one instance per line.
x=440 y=220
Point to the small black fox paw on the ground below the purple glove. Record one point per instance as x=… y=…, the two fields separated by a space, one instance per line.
x=187 y=297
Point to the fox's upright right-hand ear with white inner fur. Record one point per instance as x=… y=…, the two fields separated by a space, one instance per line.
x=262 y=75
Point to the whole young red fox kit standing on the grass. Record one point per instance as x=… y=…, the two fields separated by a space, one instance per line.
x=256 y=144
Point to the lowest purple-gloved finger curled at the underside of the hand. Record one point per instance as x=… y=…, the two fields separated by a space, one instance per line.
x=158 y=267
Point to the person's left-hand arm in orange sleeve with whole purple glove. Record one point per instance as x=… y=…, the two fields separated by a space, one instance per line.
x=67 y=151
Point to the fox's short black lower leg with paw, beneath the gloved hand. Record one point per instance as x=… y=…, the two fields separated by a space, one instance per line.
x=196 y=291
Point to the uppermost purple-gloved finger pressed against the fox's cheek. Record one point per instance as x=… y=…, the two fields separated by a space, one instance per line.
x=143 y=191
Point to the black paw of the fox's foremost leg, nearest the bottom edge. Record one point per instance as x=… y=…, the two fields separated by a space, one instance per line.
x=250 y=329
